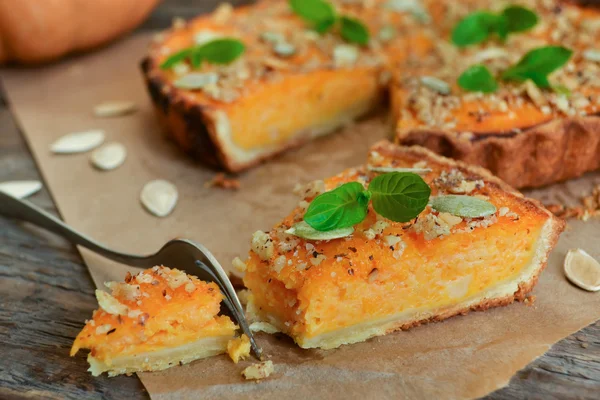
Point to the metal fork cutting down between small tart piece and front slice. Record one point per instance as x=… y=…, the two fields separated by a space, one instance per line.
x=185 y=255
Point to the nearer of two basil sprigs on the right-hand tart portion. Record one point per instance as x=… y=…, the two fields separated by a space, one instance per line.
x=535 y=65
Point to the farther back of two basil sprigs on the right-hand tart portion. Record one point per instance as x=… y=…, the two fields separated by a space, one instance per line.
x=477 y=27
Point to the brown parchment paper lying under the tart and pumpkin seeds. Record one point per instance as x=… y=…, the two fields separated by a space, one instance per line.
x=464 y=357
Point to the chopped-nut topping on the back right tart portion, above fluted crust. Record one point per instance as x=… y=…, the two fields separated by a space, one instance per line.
x=566 y=25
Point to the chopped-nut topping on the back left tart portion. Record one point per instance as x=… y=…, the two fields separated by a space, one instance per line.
x=280 y=43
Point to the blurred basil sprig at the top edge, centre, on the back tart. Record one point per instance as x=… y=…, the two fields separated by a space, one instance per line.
x=323 y=17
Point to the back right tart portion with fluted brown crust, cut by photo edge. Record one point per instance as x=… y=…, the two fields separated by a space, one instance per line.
x=527 y=135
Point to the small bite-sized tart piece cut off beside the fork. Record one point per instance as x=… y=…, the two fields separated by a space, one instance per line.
x=156 y=319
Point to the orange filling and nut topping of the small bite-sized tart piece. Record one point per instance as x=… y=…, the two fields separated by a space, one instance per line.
x=156 y=305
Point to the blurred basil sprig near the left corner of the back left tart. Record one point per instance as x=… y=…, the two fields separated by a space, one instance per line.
x=218 y=51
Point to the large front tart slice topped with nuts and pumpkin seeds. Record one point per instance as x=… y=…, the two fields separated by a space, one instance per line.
x=380 y=275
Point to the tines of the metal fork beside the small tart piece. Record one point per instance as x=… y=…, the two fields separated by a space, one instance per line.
x=231 y=300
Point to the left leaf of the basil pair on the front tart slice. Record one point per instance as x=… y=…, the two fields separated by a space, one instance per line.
x=339 y=208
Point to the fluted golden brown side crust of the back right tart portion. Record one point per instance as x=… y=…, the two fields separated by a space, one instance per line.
x=552 y=152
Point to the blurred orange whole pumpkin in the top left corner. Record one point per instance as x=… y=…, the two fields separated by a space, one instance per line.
x=34 y=31
